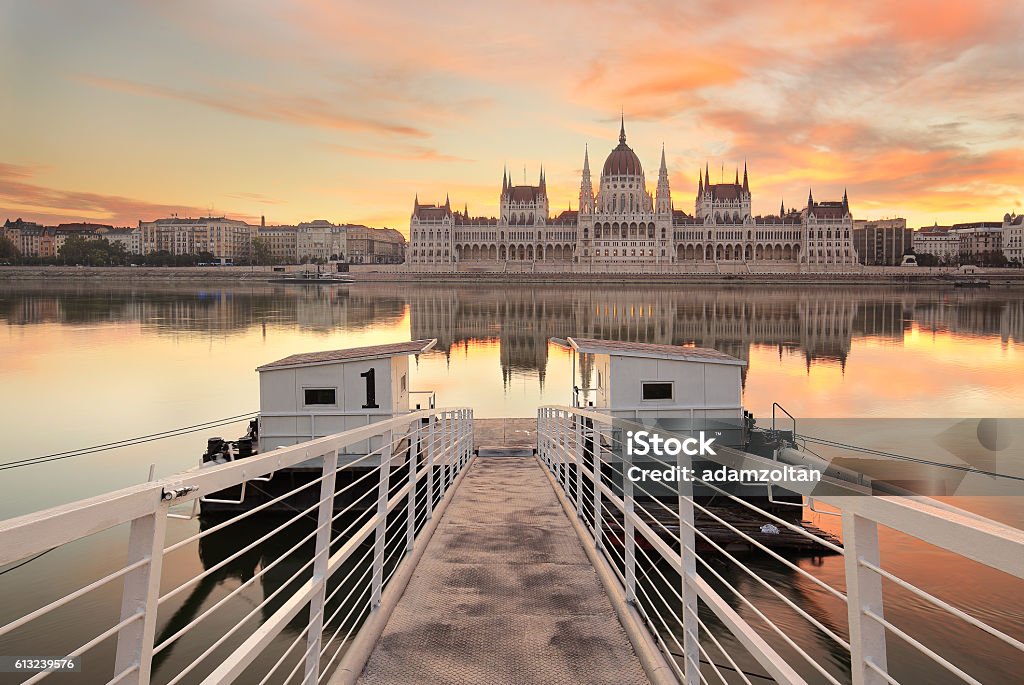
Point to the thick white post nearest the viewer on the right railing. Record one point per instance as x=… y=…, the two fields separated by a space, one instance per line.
x=864 y=593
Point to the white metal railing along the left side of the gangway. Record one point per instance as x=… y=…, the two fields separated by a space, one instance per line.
x=401 y=486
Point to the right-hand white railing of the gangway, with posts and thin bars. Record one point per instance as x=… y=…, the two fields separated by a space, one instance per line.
x=658 y=564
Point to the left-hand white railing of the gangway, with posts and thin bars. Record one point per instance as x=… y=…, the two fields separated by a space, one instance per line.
x=395 y=491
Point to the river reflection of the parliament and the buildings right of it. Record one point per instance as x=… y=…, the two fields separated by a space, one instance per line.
x=821 y=324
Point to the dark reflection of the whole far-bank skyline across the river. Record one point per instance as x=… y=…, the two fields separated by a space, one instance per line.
x=819 y=323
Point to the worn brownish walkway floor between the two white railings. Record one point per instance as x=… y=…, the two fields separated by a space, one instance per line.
x=504 y=595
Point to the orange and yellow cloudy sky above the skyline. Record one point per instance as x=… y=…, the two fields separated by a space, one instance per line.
x=116 y=112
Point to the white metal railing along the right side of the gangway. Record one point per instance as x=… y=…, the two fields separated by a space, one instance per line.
x=572 y=445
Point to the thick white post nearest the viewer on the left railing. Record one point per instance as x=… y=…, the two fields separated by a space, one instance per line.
x=142 y=591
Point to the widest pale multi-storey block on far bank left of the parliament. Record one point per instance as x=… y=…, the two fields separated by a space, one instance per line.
x=224 y=238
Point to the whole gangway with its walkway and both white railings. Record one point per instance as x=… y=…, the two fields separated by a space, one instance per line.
x=664 y=611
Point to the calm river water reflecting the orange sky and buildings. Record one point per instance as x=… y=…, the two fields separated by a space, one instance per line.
x=84 y=364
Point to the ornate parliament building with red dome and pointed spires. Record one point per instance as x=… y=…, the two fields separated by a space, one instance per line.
x=624 y=225
